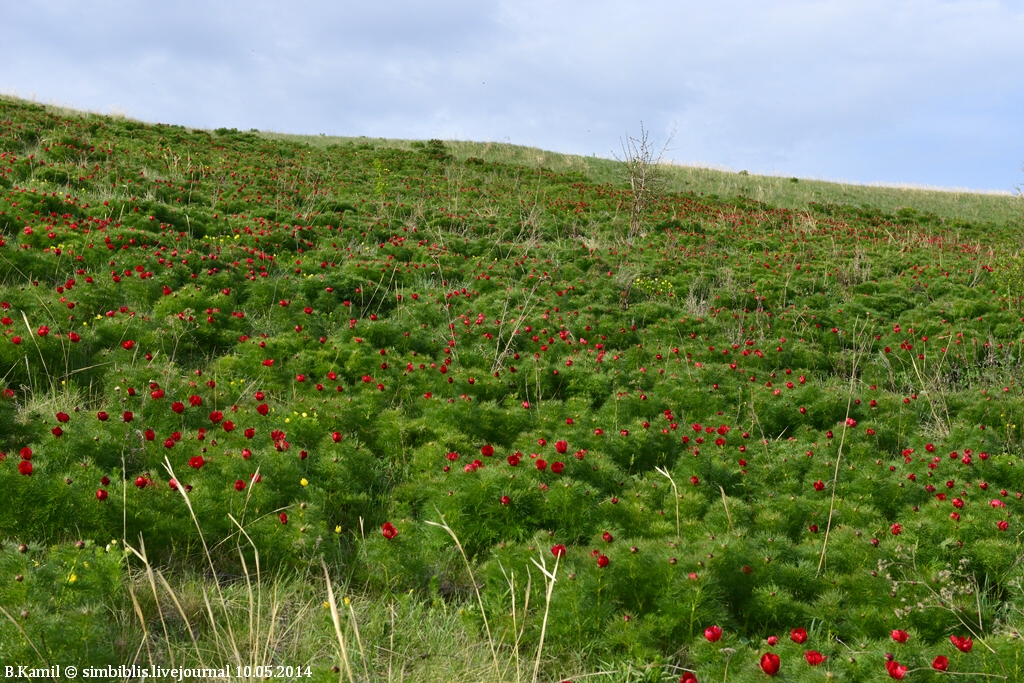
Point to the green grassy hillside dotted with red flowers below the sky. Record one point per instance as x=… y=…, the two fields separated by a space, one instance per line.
x=420 y=410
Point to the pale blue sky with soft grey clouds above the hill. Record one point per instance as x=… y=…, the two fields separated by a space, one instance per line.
x=922 y=93
